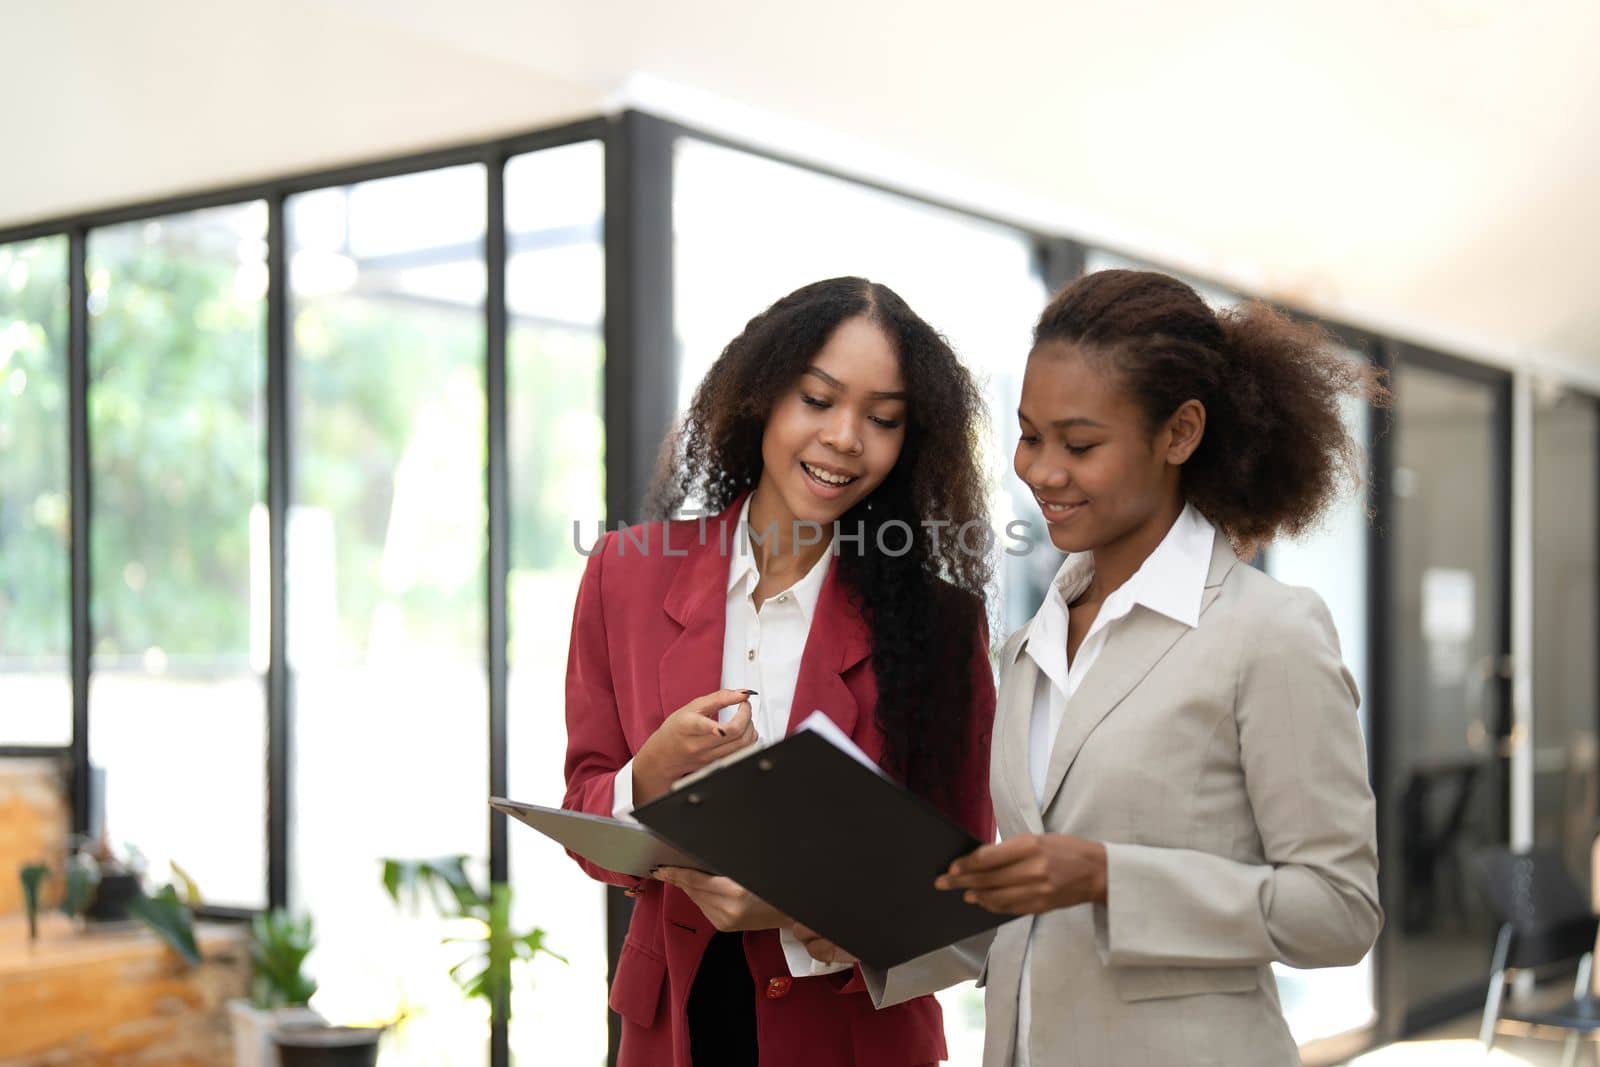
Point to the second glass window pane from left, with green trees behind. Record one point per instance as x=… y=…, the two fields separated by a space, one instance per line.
x=177 y=478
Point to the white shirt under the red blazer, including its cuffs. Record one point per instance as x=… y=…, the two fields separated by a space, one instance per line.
x=761 y=650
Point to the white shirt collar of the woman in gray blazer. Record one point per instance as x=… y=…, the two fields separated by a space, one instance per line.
x=1170 y=581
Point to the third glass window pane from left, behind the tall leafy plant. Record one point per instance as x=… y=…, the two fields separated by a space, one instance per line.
x=386 y=589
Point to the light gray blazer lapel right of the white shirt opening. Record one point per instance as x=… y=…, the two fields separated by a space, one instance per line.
x=1132 y=652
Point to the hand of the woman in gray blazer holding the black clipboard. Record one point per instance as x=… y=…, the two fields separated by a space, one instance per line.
x=1030 y=874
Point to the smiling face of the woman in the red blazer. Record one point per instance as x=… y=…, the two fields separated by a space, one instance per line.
x=836 y=434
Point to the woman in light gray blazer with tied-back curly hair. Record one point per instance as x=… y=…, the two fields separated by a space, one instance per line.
x=1178 y=770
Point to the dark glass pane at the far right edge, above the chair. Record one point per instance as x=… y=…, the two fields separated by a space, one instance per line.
x=1566 y=617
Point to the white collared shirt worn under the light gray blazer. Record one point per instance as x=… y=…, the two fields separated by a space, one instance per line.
x=1172 y=583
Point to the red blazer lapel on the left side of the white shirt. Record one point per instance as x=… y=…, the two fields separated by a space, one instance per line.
x=698 y=602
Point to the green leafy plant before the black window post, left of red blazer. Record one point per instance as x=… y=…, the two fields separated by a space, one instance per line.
x=487 y=972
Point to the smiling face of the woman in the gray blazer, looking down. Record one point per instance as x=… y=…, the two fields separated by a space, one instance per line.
x=1087 y=454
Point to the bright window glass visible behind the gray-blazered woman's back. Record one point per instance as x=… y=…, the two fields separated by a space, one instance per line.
x=1332 y=561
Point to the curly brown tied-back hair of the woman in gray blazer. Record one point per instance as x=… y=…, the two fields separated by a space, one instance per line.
x=1276 y=447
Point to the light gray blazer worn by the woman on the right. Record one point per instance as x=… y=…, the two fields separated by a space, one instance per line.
x=1225 y=770
